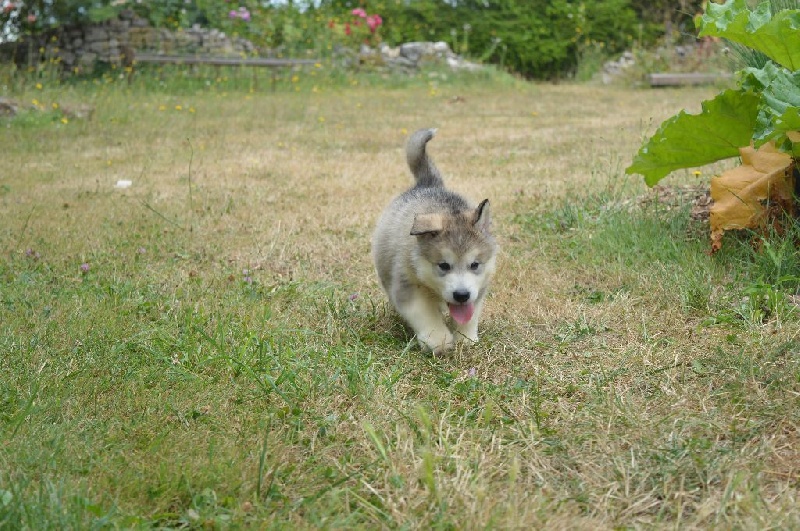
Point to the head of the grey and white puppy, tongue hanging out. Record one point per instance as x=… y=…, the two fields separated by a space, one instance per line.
x=456 y=256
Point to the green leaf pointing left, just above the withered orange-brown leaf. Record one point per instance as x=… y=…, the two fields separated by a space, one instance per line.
x=725 y=124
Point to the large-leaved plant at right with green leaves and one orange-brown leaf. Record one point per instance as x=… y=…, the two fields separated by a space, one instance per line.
x=758 y=121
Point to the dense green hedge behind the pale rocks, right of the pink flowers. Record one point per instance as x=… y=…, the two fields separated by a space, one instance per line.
x=535 y=38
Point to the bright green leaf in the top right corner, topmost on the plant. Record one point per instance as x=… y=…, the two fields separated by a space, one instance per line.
x=777 y=37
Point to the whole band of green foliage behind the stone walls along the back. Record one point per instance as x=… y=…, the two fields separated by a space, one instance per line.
x=535 y=38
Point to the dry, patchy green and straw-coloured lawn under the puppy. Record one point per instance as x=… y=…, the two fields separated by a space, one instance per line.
x=210 y=346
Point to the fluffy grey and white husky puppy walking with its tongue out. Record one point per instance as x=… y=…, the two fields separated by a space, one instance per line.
x=434 y=254
